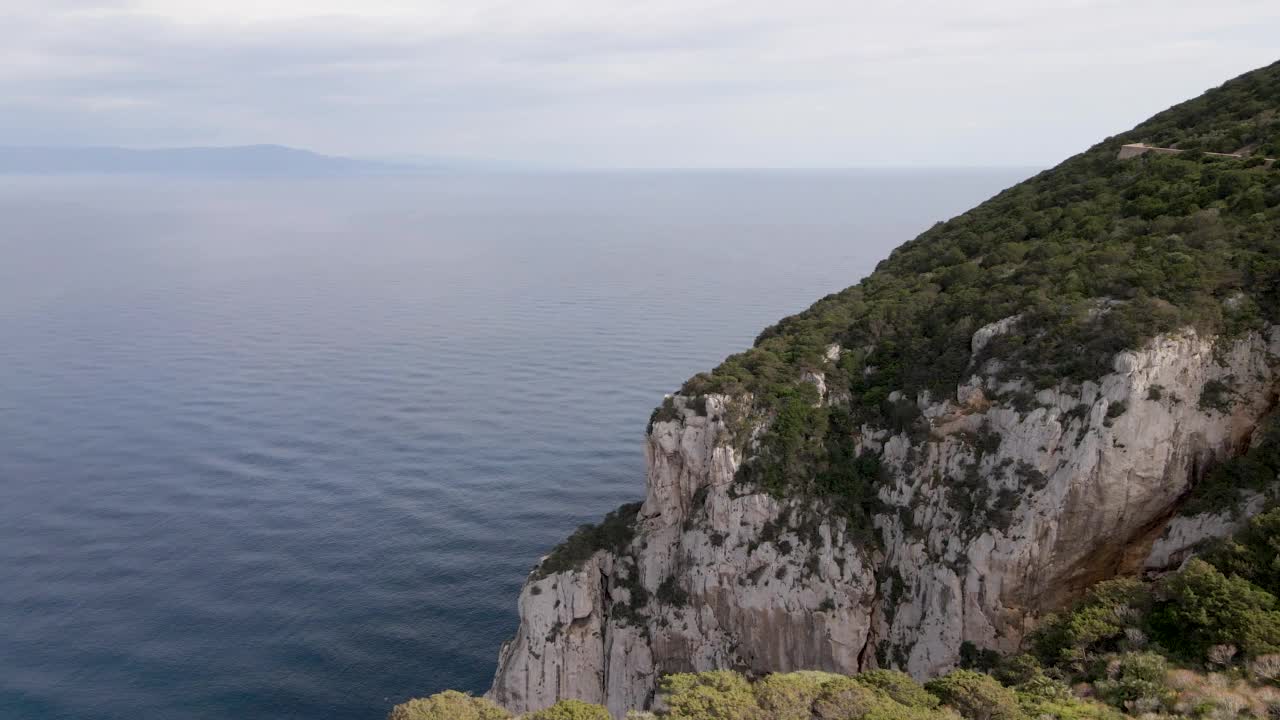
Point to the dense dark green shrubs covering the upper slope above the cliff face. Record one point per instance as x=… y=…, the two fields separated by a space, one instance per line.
x=1095 y=256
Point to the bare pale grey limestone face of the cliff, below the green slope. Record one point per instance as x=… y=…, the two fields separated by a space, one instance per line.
x=1008 y=508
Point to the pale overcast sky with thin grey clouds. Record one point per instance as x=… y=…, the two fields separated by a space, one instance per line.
x=637 y=84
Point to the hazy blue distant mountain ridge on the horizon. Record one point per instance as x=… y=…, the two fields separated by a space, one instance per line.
x=245 y=161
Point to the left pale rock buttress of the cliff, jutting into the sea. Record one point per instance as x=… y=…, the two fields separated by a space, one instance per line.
x=717 y=577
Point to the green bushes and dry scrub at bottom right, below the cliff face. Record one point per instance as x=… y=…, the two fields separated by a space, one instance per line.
x=1127 y=639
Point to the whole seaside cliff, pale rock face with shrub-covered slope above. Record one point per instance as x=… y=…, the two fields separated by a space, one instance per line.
x=1026 y=400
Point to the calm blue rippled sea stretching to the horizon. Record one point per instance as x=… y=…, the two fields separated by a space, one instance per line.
x=287 y=450
